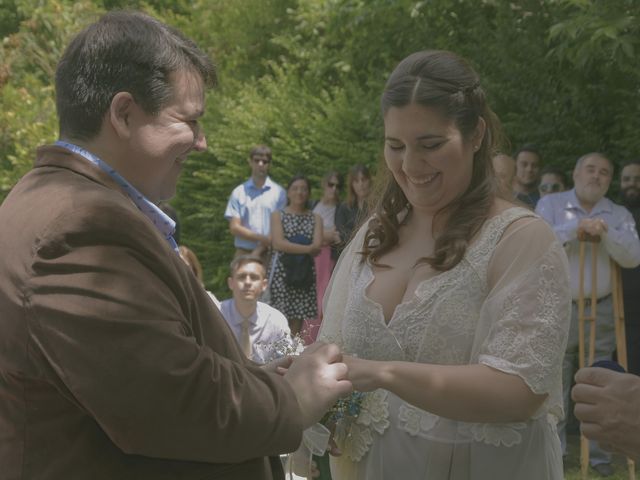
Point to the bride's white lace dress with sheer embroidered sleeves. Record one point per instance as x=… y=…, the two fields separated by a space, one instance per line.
x=505 y=305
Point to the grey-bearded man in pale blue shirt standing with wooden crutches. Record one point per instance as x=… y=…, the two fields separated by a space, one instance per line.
x=585 y=210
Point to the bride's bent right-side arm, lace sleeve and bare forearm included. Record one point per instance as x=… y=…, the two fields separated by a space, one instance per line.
x=520 y=340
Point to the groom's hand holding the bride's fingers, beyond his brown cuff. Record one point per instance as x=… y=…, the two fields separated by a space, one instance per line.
x=318 y=378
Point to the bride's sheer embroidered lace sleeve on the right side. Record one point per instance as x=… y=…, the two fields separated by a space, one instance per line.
x=524 y=322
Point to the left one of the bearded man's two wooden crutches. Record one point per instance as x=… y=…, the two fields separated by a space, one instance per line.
x=593 y=241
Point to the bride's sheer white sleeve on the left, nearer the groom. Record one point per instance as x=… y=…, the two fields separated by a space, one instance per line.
x=337 y=293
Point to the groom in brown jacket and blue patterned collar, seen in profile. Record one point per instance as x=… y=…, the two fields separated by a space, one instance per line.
x=114 y=363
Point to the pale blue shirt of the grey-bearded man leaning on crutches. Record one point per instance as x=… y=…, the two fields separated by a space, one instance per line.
x=563 y=212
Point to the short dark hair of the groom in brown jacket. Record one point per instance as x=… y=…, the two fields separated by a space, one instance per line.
x=124 y=51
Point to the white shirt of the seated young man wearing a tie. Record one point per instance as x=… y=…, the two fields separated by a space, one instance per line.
x=267 y=326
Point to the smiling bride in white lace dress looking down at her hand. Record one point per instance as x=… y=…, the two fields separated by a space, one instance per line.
x=452 y=303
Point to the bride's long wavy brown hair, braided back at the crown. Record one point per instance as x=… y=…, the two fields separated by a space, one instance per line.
x=443 y=81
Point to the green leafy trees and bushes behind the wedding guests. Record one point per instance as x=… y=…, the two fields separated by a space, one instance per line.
x=304 y=76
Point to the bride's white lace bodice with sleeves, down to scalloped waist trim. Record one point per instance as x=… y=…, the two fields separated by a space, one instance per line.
x=516 y=323
